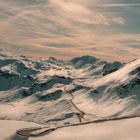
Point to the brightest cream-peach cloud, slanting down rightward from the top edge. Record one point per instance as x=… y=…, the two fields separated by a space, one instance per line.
x=77 y=12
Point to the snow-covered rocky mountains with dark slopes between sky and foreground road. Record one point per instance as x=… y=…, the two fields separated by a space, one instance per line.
x=53 y=91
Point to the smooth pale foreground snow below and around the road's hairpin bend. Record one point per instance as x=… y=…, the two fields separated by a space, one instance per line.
x=115 y=130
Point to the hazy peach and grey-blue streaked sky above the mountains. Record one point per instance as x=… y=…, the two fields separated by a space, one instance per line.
x=107 y=29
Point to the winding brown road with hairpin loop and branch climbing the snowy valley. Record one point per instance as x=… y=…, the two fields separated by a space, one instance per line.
x=41 y=131
